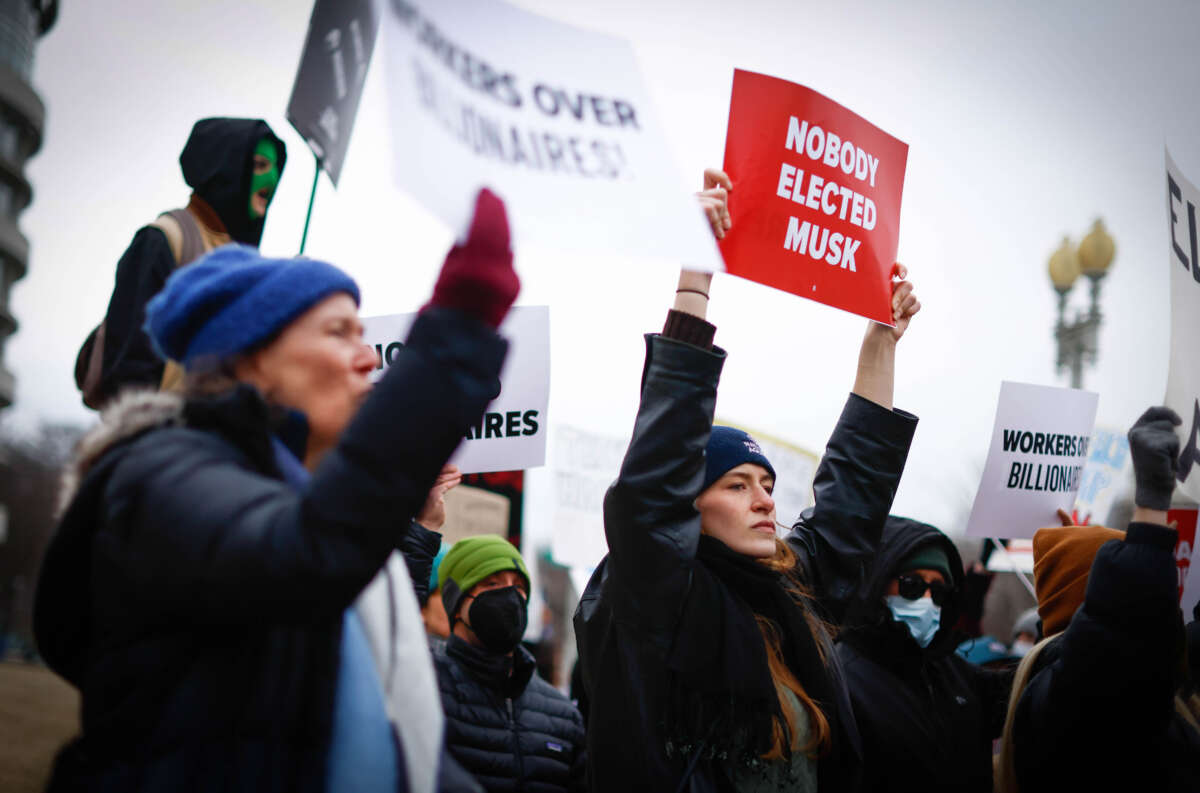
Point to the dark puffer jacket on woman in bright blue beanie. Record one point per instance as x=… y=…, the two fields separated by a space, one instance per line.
x=196 y=599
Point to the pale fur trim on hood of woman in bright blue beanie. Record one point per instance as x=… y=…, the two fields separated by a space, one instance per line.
x=125 y=418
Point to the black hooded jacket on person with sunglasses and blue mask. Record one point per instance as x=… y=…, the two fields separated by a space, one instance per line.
x=926 y=716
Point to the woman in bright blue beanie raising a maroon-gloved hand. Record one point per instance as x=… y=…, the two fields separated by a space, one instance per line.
x=205 y=588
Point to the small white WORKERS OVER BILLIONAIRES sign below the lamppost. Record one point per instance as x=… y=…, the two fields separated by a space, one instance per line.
x=1035 y=466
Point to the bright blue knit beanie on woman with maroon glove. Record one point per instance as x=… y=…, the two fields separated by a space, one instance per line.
x=233 y=301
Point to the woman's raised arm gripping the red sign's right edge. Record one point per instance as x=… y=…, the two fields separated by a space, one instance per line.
x=859 y=476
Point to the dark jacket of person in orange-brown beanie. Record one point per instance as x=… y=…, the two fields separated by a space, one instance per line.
x=1100 y=712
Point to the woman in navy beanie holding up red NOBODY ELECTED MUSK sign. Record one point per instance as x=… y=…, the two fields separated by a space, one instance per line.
x=704 y=639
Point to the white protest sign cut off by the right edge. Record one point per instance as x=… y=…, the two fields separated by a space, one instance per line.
x=1184 y=376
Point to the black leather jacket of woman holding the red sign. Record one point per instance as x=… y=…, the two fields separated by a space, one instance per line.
x=628 y=617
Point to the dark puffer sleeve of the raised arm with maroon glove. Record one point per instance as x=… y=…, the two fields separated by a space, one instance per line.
x=253 y=548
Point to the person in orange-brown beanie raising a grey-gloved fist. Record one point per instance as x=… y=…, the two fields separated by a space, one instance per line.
x=1106 y=701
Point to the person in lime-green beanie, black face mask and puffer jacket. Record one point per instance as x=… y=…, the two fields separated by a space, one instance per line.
x=506 y=725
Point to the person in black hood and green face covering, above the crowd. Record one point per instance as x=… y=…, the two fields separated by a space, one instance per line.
x=233 y=167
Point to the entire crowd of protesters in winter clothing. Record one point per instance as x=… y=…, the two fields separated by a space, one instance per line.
x=250 y=590
